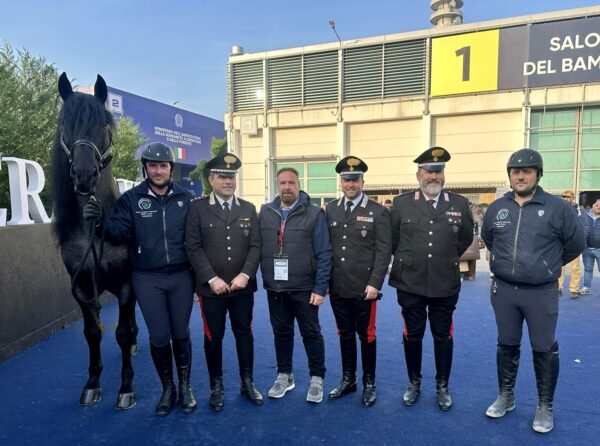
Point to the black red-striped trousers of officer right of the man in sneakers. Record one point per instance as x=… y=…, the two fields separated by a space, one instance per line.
x=356 y=316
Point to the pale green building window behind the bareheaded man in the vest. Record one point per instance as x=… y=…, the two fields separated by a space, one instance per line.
x=317 y=178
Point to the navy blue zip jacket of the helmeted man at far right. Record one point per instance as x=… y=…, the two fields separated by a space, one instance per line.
x=530 y=244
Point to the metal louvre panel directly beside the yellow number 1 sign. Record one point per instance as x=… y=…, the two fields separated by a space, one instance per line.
x=404 y=68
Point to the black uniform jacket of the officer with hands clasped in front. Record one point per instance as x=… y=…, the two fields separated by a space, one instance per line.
x=220 y=247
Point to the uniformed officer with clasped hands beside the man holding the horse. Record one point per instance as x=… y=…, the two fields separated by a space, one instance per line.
x=223 y=246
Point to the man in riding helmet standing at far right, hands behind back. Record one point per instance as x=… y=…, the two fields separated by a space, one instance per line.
x=531 y=234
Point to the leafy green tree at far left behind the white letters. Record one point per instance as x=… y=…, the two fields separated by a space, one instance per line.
x=28 y=112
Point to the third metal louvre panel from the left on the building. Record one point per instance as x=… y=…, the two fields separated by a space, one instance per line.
x=320 y=78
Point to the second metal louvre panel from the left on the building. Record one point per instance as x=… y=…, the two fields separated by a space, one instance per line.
x=284 y=80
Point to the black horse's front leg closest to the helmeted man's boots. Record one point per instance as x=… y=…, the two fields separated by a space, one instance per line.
x=126 y=339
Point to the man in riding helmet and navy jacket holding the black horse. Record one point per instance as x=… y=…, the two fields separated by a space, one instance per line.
x=151 y=219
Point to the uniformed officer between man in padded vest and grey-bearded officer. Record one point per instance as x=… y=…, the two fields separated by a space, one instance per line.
x=361 y=240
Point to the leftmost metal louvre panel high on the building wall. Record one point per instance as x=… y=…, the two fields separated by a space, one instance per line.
x=248 y=88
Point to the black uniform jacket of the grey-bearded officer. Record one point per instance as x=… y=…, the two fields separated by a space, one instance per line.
x=427 y=245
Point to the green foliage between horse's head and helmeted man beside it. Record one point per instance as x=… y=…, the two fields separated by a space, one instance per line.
x=126 y=141
